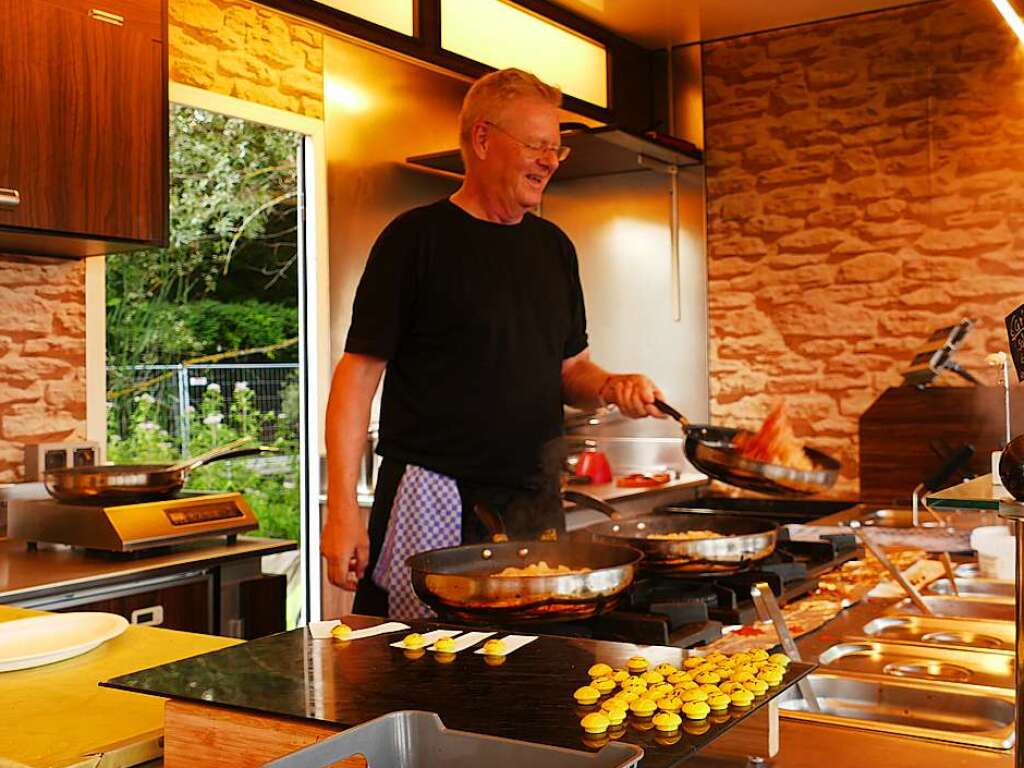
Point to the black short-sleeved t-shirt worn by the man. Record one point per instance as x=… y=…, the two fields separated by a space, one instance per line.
x=475 y=319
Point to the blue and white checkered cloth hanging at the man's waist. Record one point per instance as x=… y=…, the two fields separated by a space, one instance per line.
x=426 y=515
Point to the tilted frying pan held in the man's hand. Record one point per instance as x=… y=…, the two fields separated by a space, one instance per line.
x=712 y=451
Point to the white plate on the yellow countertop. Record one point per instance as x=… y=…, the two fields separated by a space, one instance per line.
x=39 y=641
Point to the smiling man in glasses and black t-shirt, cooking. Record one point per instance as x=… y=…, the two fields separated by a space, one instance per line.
x=475 y=308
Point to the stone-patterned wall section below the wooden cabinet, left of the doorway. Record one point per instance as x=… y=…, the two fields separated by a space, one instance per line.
x=42 y=356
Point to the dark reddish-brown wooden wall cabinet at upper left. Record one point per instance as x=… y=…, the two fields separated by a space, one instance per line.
x=83 y=130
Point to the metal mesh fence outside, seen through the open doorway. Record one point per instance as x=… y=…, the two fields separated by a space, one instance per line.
x=180 y=389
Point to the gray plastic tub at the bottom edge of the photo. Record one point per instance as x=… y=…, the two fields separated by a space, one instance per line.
x=419 y=740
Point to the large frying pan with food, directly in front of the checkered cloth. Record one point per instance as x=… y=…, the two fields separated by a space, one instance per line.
x=458 y=582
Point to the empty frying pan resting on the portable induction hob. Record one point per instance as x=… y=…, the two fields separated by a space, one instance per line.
x=125 y=484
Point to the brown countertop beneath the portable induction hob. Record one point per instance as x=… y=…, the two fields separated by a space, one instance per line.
x=55 y=569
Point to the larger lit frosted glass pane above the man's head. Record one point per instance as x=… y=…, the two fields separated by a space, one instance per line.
x=501 y=35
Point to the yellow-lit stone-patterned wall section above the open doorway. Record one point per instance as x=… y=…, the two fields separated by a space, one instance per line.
x=244 y=51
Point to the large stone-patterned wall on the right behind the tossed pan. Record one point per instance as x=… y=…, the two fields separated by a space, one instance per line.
x=866 y=186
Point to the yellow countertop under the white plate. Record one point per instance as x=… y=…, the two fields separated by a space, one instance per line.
x=59 y=717
